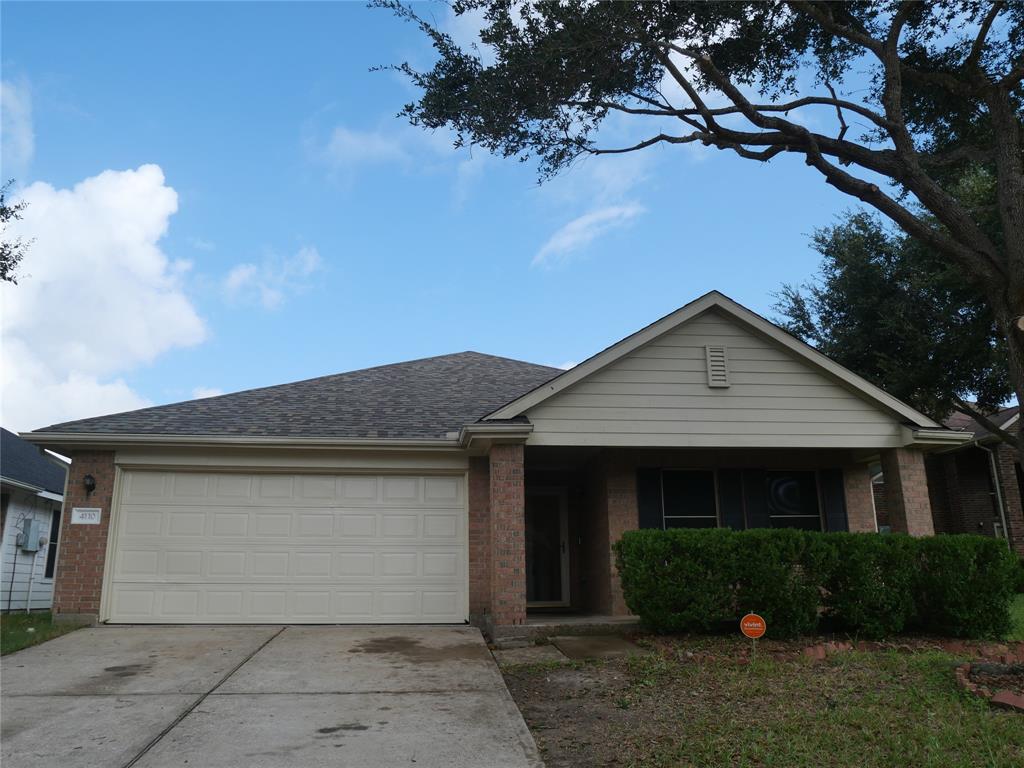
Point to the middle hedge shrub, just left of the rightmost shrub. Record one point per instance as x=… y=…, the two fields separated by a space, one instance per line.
x=871 y=590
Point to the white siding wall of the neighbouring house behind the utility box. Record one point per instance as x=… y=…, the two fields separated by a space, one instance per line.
x=13 y=560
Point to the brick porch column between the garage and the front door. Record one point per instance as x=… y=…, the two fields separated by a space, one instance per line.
x=508 y=536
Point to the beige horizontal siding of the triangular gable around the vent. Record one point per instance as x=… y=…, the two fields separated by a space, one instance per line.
x=659 y=396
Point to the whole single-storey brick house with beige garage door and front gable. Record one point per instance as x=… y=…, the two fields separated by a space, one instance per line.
x=470 y=487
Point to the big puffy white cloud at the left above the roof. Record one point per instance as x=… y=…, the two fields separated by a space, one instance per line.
x=97 y=298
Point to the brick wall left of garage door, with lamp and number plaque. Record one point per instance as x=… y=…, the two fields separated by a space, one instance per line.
x=82 y=551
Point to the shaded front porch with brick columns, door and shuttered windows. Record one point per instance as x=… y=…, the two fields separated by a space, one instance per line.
x=544 y=520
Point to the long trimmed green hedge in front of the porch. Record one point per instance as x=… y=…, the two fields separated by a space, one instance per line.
x=865 y=584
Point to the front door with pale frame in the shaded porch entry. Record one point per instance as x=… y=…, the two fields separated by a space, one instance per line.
x=547 y=549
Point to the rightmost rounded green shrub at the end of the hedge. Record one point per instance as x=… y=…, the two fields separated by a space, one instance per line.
x=964 y=586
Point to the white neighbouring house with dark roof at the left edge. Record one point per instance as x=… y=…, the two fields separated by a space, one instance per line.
x=31 y=494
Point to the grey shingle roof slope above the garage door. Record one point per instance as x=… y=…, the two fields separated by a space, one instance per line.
x=424 y=399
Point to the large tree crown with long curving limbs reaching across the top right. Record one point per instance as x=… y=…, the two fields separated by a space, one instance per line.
x=945 y=101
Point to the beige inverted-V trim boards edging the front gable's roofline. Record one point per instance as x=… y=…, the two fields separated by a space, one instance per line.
x=752 y=320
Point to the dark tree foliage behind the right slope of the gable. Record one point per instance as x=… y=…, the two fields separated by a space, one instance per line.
x=888 y=308
